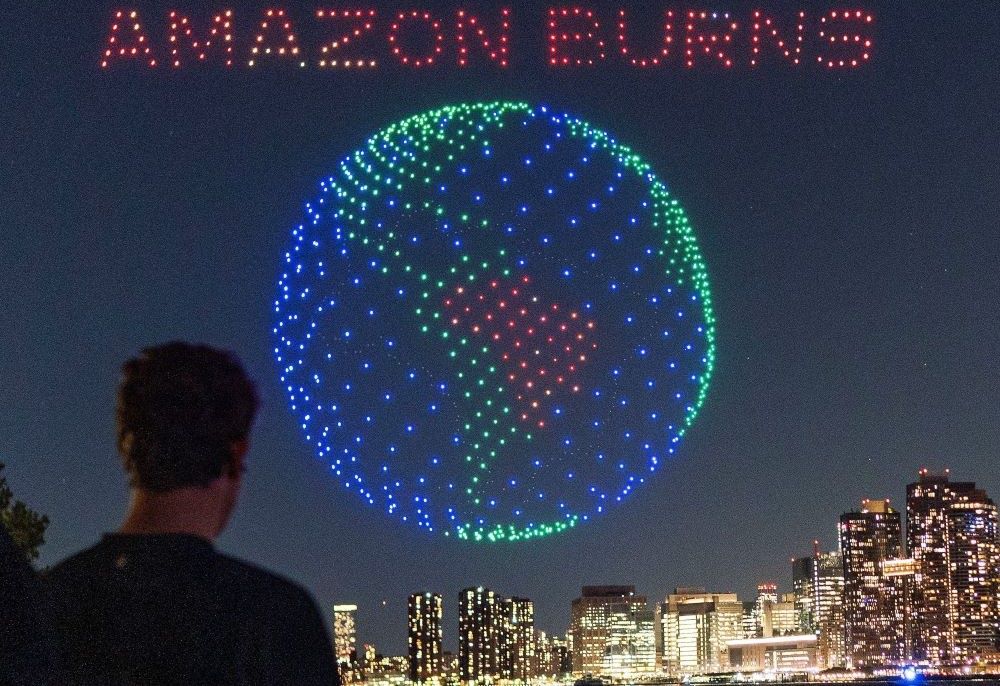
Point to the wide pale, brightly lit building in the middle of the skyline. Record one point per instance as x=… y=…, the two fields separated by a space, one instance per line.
x=697 y=626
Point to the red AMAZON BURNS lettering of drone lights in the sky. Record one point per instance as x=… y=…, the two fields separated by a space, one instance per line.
x=575 y=36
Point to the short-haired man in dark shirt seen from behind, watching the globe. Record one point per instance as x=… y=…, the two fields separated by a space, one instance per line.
x=155 y=603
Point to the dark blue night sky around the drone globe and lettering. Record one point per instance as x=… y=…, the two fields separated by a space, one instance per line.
x=848 y=221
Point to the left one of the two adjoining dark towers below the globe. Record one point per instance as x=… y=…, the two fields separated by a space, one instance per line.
x=480 y=634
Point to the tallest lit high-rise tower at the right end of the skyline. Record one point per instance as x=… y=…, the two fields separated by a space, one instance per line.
x=951 y=530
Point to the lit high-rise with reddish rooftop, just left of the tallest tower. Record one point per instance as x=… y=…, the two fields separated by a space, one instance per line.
x=874 y=601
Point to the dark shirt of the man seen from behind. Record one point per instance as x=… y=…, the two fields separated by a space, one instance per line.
x=169 y=609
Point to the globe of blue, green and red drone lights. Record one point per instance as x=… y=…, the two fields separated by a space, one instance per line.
x=494 y=322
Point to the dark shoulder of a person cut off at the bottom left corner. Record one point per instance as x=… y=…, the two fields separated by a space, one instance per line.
x=27 y=642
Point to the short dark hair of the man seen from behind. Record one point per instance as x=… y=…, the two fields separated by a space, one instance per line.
x=180 y=409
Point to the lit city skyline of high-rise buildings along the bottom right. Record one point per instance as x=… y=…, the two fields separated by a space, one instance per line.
x=868 y=604
